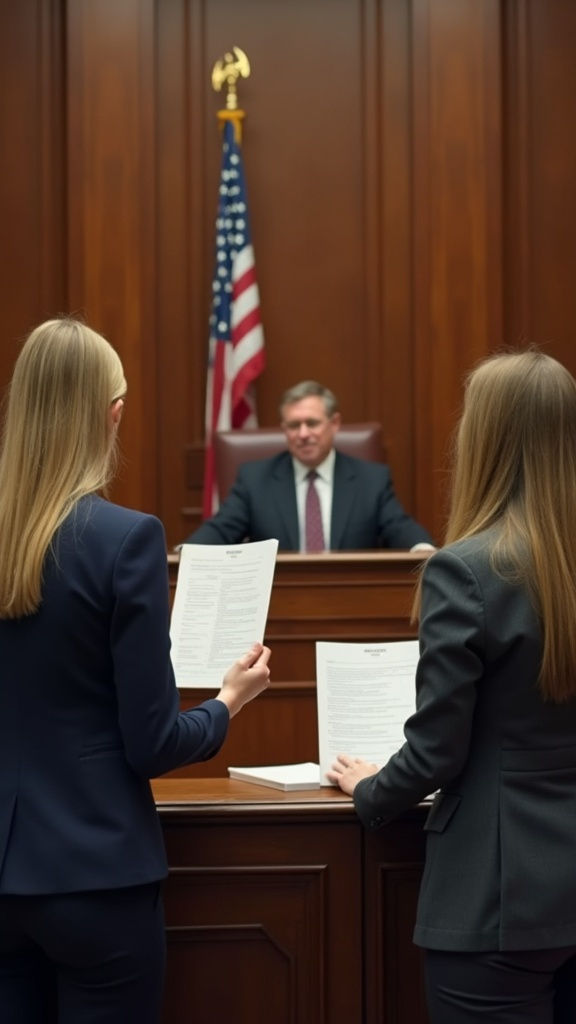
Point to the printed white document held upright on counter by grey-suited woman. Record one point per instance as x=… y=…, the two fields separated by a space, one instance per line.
x=365 y=694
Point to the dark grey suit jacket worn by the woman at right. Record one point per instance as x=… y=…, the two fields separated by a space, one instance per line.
x=501 y=870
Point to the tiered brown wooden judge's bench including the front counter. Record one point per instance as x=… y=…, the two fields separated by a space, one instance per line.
x=281 y=909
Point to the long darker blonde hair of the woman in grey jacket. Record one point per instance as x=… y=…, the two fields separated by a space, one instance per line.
x=515 y=470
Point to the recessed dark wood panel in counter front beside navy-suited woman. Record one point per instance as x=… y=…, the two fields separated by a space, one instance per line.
x=263 y=921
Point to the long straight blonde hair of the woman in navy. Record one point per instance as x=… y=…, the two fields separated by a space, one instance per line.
x=59 y=445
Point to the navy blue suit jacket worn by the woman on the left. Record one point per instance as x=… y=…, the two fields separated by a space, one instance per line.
x=90 y=712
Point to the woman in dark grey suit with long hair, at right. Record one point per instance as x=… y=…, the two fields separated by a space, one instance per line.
x=496 y=727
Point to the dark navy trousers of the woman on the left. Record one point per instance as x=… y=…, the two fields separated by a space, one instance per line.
x=83 y=958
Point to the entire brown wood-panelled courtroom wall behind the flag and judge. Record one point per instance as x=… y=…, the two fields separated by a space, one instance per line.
x=412 y=172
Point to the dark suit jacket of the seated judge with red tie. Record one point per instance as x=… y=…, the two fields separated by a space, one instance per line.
x=262 y=505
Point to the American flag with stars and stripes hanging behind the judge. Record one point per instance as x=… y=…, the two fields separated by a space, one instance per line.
x=236 y=355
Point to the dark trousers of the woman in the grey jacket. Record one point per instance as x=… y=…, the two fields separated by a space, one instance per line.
x=534 y=988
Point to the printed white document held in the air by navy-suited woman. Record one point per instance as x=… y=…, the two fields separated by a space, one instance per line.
x=221 y=608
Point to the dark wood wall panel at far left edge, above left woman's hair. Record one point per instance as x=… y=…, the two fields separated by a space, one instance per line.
x=32 y=183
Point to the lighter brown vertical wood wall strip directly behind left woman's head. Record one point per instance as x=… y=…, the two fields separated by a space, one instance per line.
x=111 y=210
